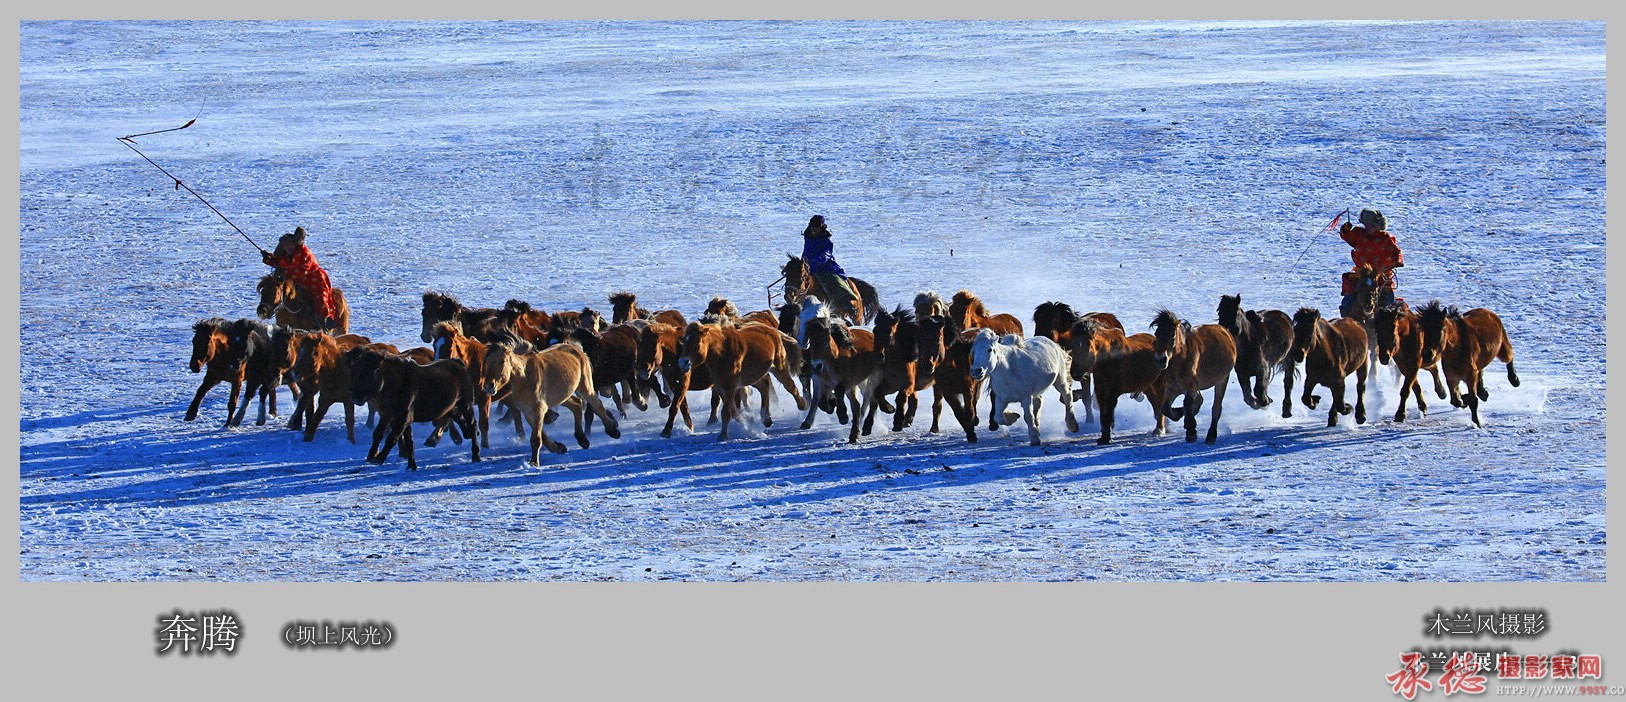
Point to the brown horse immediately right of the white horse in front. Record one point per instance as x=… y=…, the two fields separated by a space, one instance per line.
x=1120 y=366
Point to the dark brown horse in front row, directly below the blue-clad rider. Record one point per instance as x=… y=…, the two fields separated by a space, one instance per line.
x=845 y=363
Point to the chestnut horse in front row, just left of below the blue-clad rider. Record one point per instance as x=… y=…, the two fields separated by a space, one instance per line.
x=737 y=358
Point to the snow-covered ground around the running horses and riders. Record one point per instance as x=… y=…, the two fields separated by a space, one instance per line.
x=1116 y=167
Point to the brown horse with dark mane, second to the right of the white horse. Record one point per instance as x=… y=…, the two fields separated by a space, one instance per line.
x=1193 y=362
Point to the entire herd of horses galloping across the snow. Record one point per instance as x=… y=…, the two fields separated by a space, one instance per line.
x=534 y=362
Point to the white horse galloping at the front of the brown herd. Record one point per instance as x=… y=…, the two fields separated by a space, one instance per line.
x=1022 y=370
